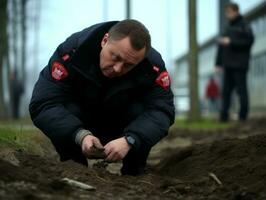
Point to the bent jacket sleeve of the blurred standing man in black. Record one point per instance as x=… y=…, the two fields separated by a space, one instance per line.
x=244 y=38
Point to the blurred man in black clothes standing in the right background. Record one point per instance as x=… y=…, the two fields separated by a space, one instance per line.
x=233 y=57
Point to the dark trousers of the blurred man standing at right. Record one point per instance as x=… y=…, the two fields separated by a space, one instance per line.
x=235 y=79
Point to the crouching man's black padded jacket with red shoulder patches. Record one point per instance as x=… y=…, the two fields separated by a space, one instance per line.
x=134 y=104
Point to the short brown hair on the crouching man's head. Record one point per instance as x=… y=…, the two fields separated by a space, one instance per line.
x=138 y=34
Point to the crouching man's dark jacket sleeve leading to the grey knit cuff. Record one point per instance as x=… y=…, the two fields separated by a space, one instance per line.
x=48 y=112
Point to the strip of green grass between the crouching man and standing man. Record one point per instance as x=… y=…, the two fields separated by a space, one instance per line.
x=204 y=124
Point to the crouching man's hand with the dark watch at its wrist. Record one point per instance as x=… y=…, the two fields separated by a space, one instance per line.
x=117 y=149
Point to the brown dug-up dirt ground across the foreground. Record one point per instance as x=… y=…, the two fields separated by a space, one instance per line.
x=192 y=165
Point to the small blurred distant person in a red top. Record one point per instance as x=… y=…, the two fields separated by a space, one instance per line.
x=212 y=94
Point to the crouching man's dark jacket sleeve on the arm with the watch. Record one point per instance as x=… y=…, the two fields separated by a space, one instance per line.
x=153 y=124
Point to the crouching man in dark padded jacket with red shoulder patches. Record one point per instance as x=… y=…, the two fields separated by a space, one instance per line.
x=105 y=93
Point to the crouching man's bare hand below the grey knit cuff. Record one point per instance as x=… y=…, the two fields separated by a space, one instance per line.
x=92 y=147
